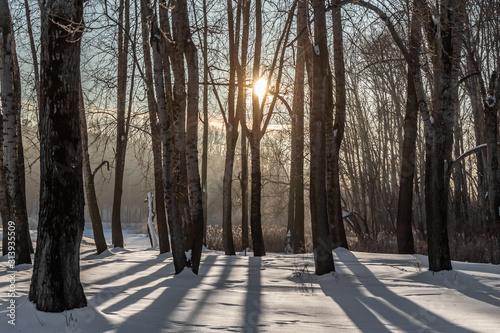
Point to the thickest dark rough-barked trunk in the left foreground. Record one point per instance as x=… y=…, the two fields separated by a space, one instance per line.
x=55 y=284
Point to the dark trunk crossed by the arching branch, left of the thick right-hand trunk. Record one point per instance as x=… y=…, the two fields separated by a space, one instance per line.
x=405 y=204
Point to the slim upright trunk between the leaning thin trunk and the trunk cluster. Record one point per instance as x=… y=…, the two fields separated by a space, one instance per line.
x=121 y=148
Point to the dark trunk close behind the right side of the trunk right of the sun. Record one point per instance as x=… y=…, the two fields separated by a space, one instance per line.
x=334 y=139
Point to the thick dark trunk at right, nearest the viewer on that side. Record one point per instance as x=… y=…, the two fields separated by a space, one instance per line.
x=445 y=48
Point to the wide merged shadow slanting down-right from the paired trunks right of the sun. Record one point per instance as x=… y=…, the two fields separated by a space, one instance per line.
x=365 y=309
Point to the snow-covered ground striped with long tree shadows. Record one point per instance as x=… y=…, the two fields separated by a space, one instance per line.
x=135 y=290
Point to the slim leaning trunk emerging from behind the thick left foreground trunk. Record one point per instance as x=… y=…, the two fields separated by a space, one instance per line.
x=88 y=178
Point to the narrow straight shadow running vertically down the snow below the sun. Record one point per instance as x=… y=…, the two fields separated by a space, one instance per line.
x=253 y=304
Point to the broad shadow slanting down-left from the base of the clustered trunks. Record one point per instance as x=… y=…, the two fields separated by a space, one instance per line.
x=165 y=302
